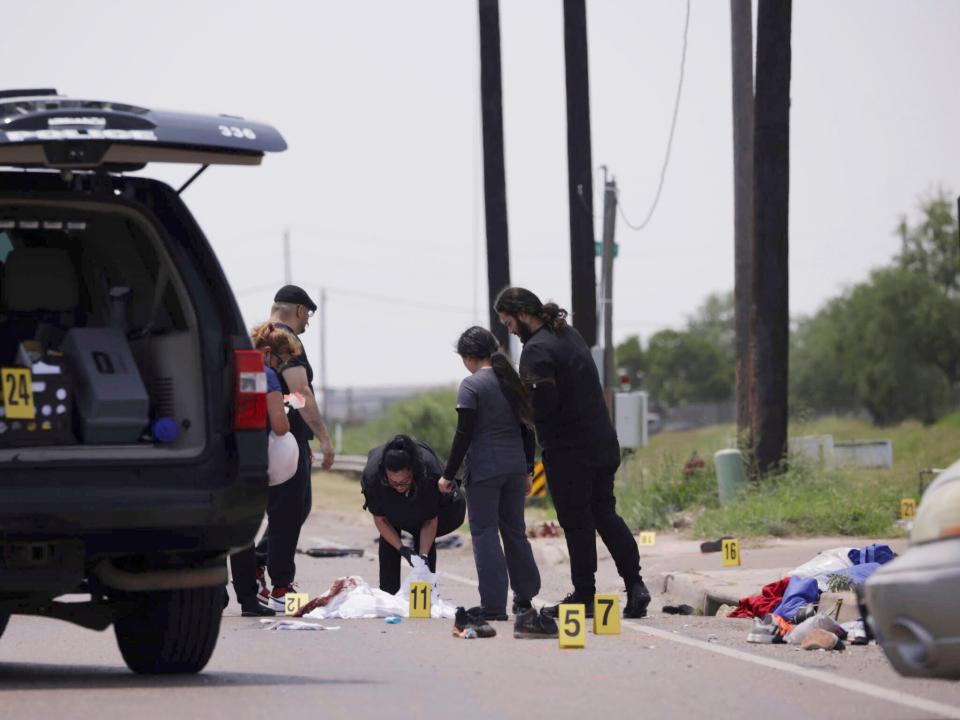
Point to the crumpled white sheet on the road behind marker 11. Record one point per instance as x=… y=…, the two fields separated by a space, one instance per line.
x=352 y=598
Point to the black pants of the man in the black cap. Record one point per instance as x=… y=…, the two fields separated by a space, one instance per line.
x=288 y=506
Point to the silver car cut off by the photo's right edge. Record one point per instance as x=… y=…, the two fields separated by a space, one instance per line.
x=912 y=602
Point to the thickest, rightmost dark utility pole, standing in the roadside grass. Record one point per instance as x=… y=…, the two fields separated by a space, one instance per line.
x=771 y=312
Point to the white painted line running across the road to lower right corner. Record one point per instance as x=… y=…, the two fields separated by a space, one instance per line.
x=880 y=693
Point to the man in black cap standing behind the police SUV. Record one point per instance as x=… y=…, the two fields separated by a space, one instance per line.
x=291 y=502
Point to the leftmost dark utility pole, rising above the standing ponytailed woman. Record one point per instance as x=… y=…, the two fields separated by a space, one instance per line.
x=494 y=175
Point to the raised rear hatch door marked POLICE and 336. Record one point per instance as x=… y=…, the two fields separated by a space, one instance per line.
x=39 y=128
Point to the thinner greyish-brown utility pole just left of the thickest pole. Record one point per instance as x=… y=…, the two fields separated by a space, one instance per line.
x=741 y=36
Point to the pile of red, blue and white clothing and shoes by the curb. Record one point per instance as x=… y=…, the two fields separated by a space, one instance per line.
x=789 y=610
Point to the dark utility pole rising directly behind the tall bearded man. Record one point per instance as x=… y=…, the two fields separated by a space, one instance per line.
x=579 y=171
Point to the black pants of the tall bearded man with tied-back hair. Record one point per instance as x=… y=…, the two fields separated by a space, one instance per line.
x=583 y=496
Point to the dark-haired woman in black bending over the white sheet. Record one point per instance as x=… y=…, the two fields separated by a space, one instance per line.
x=399 y=485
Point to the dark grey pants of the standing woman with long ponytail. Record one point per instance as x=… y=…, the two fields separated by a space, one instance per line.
x=496 y=511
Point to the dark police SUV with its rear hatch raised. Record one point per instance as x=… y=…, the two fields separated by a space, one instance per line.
x=132 y=447
